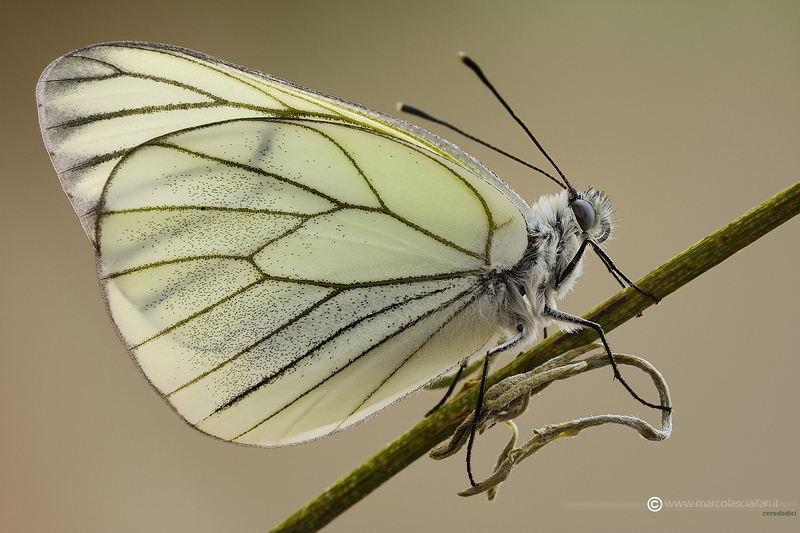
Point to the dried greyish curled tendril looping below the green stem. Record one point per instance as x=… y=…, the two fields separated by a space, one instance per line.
x=509 y=399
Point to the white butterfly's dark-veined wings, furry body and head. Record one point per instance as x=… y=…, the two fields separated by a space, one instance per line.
x=282 y=264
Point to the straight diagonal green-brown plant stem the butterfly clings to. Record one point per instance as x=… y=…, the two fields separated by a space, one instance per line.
x=620 y=308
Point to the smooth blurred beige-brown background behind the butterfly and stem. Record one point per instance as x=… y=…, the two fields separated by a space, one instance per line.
x=686 y=113
